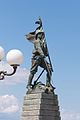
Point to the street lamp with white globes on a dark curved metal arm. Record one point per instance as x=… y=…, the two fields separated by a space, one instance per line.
x=14 y=58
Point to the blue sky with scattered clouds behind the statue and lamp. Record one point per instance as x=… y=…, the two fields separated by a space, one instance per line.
x=61 y=23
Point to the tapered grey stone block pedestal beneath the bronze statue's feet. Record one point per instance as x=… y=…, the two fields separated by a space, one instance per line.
x=39 y=105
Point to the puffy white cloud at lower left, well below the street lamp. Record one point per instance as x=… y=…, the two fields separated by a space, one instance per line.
x=8 y=104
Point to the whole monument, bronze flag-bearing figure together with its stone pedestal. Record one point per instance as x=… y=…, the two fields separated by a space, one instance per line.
x=40 y=101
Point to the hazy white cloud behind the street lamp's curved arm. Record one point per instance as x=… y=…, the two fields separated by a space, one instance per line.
x=20 y=76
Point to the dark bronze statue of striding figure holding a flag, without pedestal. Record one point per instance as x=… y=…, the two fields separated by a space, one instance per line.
x=40 y=53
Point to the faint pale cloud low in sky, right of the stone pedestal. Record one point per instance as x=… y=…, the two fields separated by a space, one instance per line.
x=70 y=115
